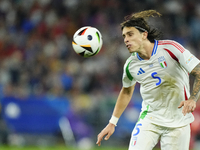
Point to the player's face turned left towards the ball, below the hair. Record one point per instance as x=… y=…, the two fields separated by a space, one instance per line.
x=133 y=39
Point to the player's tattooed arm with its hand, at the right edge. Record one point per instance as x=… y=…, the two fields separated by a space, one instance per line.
x=190 y=104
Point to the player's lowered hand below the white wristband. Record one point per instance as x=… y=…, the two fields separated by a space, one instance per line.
x=108 y=131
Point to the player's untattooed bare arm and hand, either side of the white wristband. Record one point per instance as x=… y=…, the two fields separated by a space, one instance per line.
x=121 y=104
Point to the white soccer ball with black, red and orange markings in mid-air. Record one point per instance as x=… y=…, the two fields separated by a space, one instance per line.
x=87 y=41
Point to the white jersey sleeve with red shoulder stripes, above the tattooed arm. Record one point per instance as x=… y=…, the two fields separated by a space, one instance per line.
x=185 y=58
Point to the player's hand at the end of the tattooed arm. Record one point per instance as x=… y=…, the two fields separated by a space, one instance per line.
x=188 y=106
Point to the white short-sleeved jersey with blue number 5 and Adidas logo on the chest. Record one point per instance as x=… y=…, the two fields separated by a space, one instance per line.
x=164 y=82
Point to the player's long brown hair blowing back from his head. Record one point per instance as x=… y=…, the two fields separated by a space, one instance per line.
x=138 y=20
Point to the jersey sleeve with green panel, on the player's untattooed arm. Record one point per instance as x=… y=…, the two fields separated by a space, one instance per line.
x=127 y=79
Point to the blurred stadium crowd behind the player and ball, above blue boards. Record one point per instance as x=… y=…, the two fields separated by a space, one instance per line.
x=37 y=59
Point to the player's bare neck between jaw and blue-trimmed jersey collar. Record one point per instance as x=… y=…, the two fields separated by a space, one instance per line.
x=146 y=50
